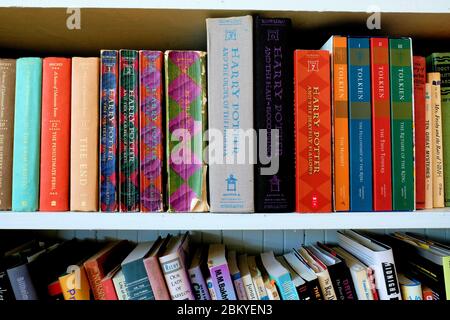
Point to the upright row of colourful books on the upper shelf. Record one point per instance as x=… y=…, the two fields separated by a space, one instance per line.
x=356 y=103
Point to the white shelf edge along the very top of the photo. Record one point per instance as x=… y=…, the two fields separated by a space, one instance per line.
x=411 y=6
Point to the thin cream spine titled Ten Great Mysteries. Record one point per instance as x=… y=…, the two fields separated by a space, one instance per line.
x=428 y=148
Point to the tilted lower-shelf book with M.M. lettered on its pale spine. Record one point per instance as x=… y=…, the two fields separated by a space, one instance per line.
x=220 y=273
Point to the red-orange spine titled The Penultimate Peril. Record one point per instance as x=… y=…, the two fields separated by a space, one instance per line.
x=55 y=135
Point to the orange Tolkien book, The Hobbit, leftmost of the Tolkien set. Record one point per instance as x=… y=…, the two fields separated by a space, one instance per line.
x=337 y=46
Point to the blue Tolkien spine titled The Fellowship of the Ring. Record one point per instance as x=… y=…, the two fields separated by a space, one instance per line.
x=360 y=129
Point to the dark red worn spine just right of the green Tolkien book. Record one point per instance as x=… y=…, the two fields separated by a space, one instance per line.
x=419 y=128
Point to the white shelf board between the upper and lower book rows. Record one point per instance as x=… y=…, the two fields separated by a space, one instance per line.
x=435 y=219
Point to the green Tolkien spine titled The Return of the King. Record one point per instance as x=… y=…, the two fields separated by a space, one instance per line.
x=401 y=72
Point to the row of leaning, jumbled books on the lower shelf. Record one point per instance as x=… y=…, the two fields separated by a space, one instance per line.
x=360 y=266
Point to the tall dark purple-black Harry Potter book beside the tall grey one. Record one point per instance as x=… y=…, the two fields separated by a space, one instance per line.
x=273 y=65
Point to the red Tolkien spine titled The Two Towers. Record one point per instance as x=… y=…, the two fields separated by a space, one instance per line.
x=381 y=124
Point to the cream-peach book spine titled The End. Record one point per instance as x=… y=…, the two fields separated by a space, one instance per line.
x=84 y=135
